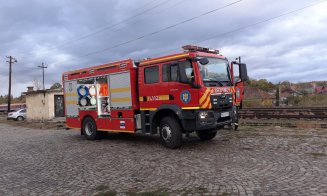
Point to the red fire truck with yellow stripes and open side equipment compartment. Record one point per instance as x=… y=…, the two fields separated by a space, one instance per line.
x=171 y=95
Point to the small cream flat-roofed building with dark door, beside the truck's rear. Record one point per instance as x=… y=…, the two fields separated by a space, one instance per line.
x=44 y=104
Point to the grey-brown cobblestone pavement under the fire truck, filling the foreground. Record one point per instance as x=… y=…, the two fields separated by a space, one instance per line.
x=252 y=161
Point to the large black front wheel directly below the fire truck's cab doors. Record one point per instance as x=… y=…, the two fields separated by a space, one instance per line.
x=171 y=132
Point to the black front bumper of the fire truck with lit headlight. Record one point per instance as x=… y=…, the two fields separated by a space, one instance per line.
x=214 y=119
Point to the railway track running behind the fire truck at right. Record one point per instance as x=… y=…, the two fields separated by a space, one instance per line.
x=284 y=113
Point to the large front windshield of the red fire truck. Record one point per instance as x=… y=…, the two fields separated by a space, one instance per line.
x=215 y=73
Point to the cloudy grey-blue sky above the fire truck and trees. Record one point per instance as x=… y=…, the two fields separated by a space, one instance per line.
x=279 y=40
